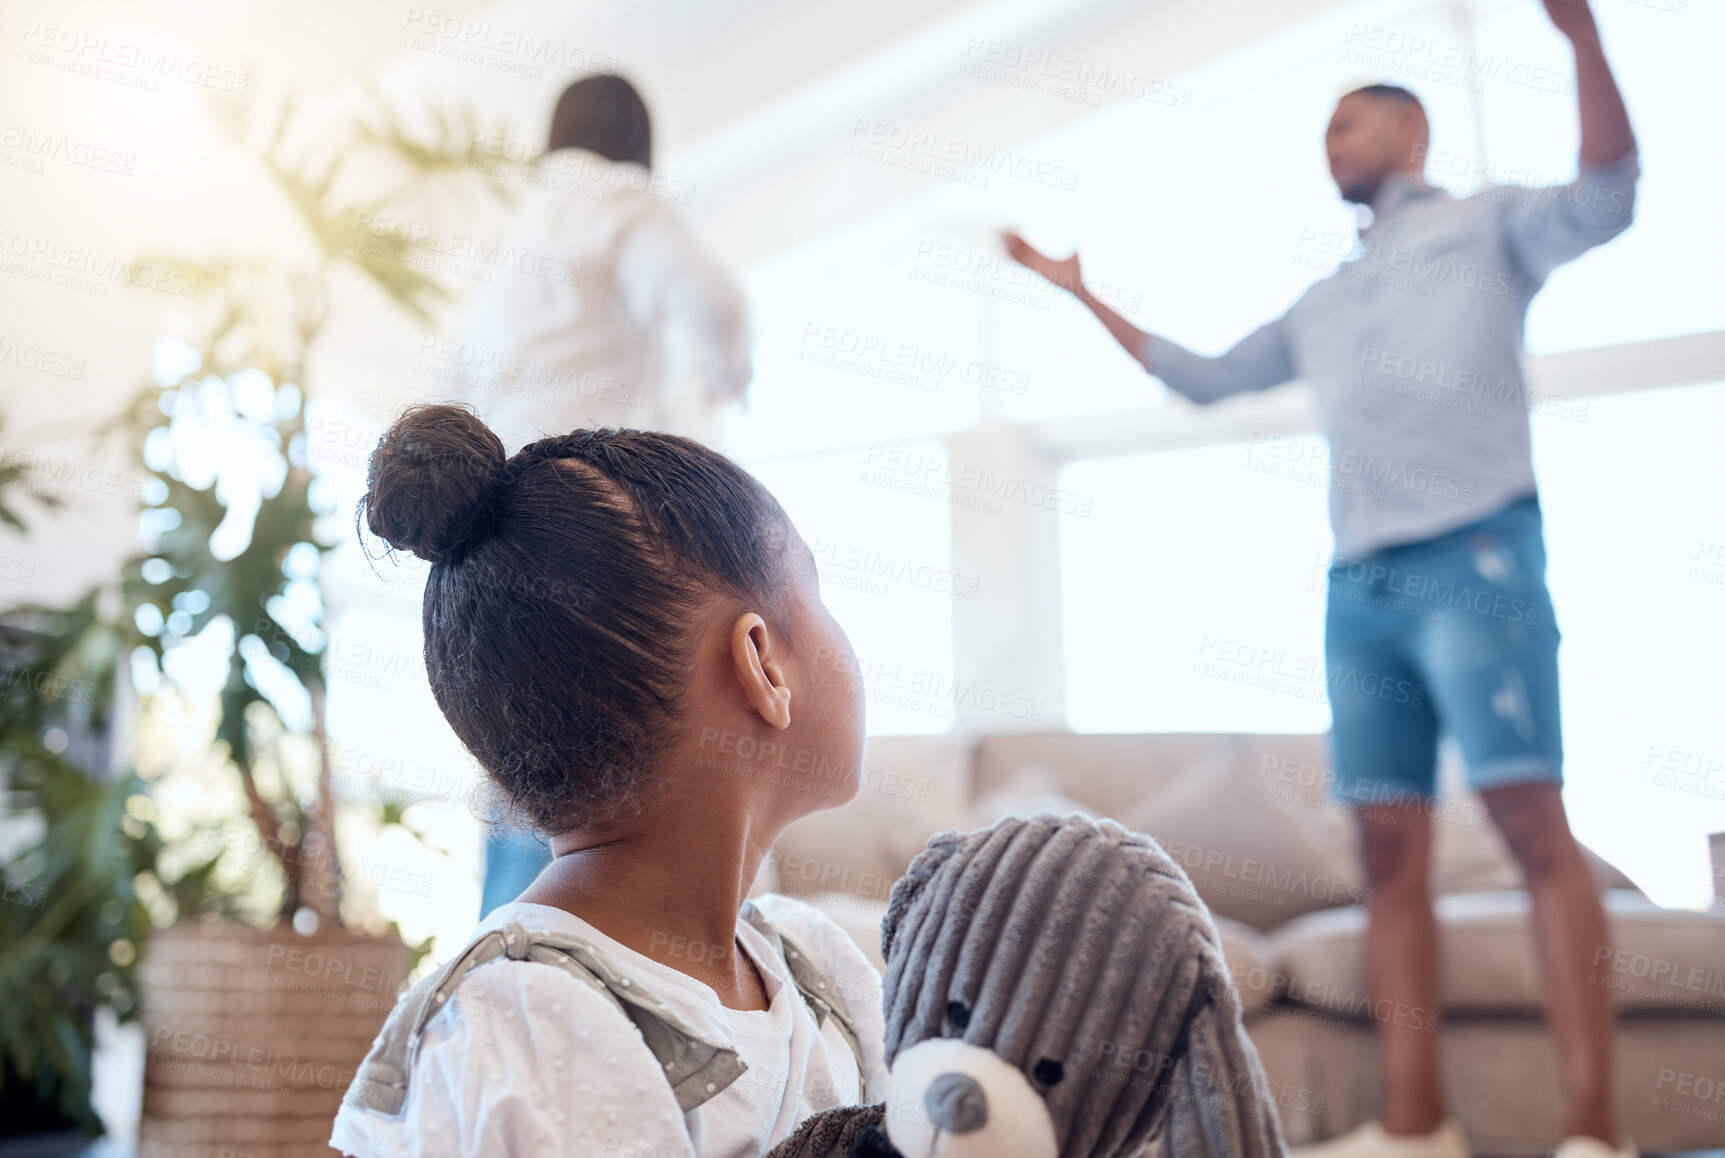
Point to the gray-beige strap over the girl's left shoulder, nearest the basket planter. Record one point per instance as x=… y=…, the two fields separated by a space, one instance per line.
x=694 y=1067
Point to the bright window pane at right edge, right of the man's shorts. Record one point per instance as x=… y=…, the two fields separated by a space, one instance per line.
x=1636 y=534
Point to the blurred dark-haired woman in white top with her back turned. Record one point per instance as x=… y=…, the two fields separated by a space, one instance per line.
x=603 y=312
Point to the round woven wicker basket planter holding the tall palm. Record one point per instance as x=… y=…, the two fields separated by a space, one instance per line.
x=253 y=1036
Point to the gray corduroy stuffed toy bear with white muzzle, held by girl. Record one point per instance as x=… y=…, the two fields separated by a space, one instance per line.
x=1055 y=990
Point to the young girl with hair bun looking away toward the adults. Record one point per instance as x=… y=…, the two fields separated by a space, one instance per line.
x=629 y=636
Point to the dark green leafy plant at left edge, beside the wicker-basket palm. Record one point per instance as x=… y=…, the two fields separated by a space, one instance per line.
x=72 y=922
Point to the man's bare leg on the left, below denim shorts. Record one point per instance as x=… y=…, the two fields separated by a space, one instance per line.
x=1402 y=962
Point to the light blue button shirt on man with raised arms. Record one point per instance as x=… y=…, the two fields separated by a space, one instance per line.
x=1414 y=348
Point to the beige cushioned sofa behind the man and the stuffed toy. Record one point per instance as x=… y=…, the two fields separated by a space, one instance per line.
x=1276 y=860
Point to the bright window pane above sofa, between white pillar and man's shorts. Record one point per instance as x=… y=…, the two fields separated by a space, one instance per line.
x=1195 y=591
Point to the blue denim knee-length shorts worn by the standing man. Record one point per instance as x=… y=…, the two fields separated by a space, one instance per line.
x=1446 y=636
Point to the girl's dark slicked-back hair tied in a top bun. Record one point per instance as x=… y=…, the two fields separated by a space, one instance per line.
x=565 y=593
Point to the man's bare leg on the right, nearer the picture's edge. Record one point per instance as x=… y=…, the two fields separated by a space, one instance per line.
x=1571 y=931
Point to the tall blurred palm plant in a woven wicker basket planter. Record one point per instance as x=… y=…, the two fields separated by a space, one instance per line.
x=298 y=998
